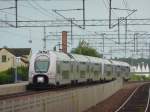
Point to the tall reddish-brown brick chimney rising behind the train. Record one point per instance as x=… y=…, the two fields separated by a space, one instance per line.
x=64 y=41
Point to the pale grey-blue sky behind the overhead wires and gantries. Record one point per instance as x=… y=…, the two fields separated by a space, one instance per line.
x=43 y=10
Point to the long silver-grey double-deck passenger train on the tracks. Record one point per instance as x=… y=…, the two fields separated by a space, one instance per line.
x=50 y=68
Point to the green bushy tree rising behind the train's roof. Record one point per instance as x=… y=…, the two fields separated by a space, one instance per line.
x=84 y=49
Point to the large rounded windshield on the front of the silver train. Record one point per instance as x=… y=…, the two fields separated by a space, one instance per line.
x=42 y=64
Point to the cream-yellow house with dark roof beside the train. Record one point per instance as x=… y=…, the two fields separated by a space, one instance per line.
x=12 y=57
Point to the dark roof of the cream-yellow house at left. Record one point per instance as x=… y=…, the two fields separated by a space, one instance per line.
x=18 y=51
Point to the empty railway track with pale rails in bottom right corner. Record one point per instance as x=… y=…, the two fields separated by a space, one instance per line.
x=138 y=101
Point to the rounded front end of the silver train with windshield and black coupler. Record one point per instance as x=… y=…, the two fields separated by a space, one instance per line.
x=40 y=71
